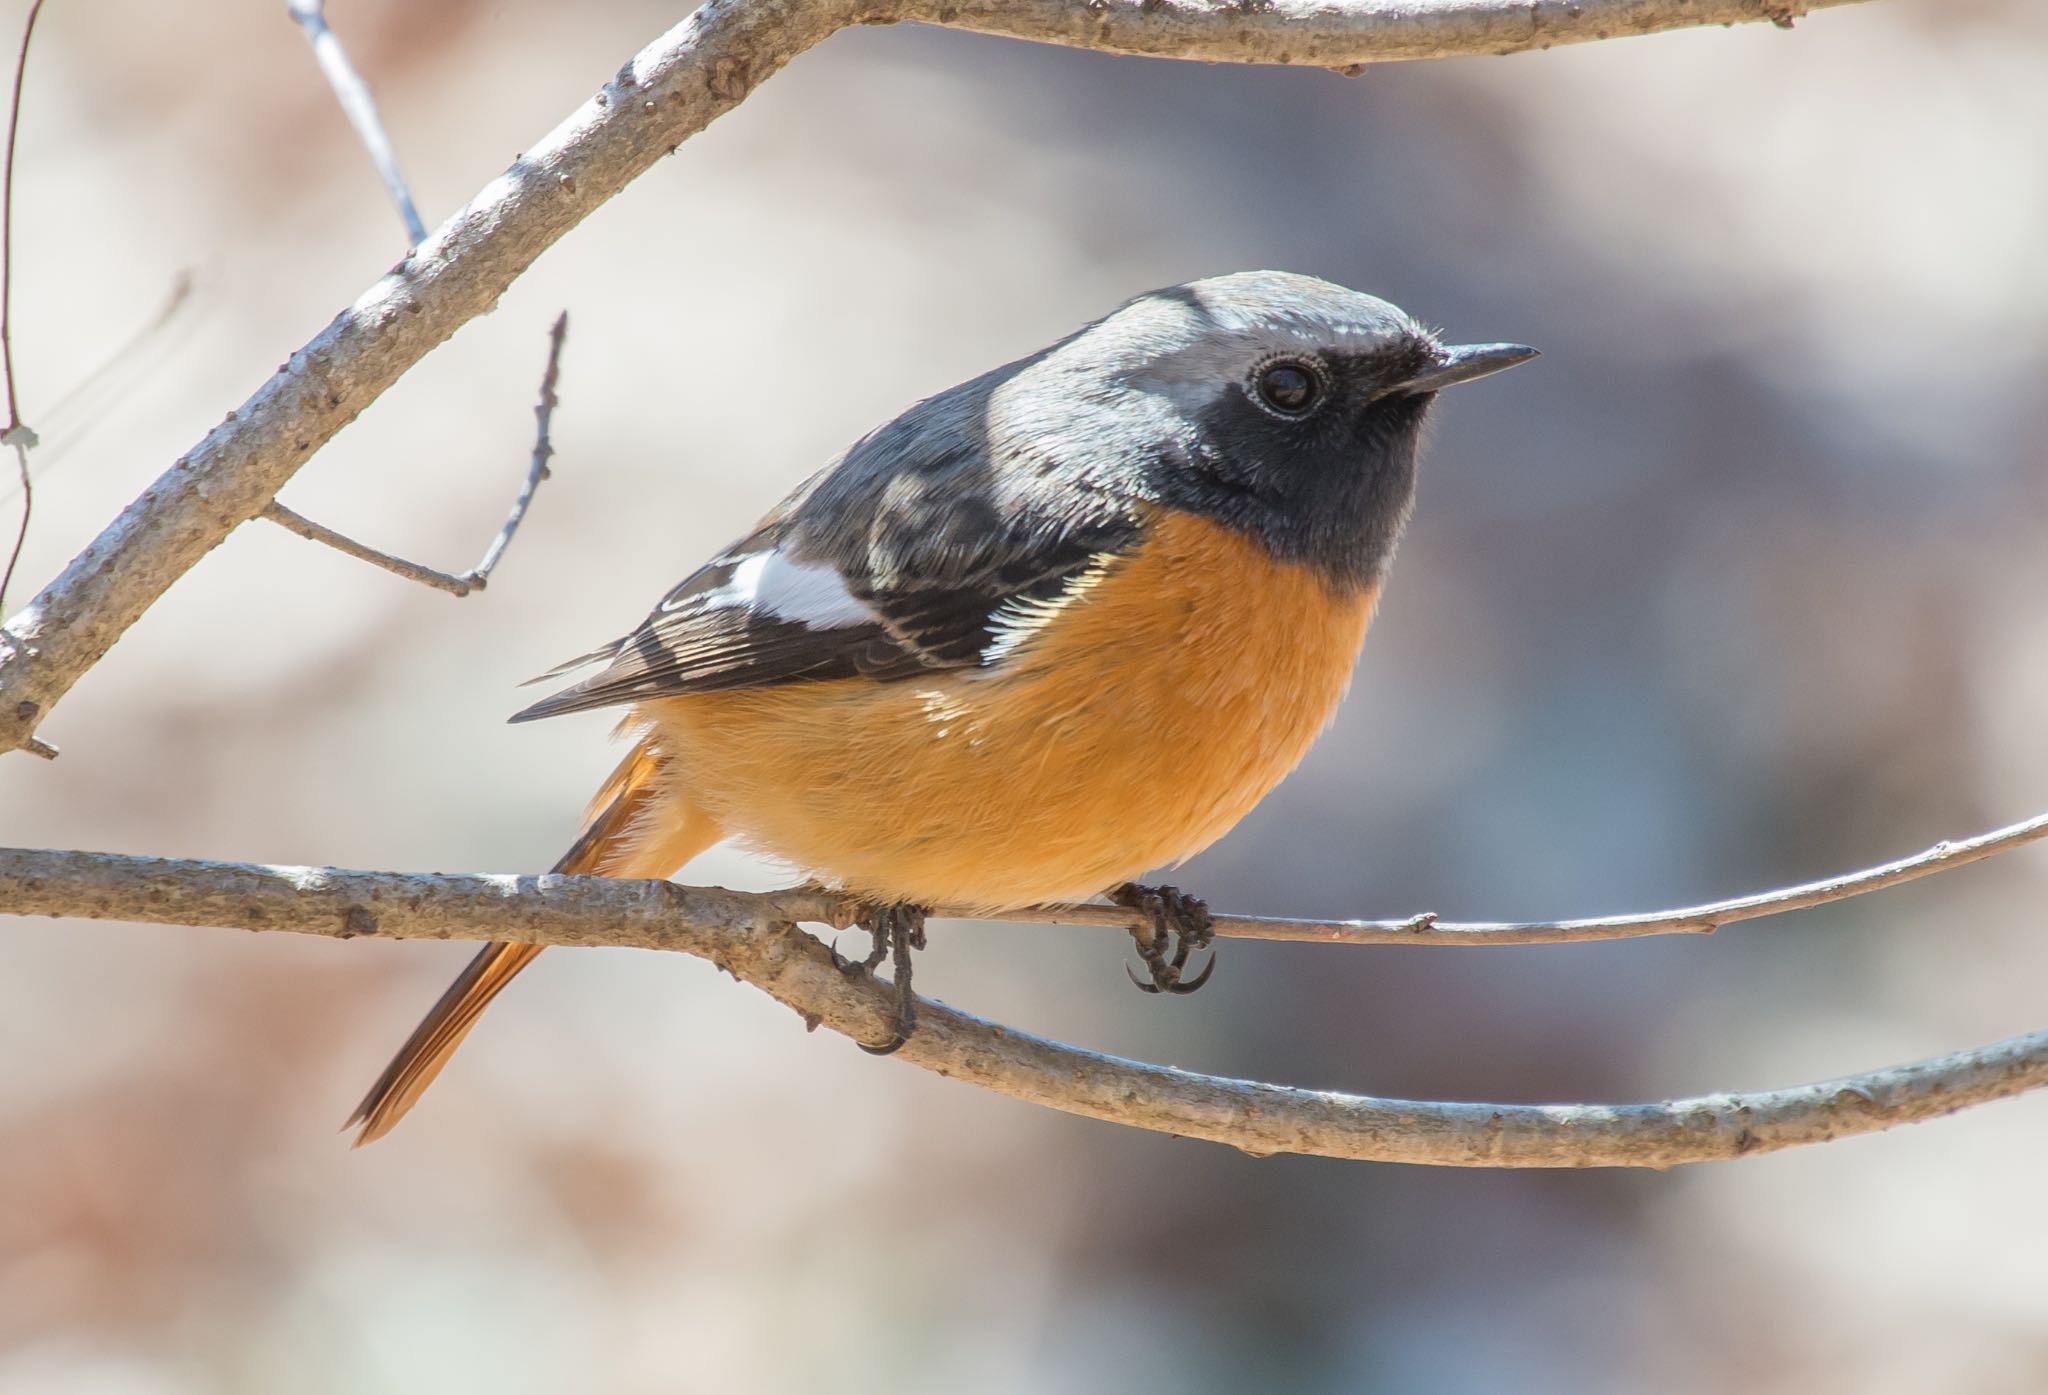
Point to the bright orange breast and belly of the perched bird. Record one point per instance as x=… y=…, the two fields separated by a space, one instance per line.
x=1150 y=718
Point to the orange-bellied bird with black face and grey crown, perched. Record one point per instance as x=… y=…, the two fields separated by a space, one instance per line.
x=1041 y=634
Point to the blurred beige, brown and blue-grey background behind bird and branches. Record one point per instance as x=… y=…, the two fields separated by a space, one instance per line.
x=1740 y=585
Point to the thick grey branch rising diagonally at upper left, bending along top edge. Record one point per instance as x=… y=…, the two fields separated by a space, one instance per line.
x=671 y=91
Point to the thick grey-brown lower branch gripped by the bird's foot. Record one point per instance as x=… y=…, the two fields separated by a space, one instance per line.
x=757 y=941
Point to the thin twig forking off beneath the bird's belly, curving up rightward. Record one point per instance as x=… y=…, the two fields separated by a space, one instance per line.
x=1689 y=921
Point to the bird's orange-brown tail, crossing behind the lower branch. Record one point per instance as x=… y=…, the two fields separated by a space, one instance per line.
x=638 y=831
